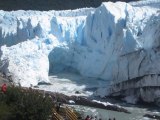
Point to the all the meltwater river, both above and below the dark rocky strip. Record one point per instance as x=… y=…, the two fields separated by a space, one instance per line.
x=68 y=83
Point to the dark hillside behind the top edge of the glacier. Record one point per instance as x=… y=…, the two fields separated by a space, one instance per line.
x=9 y=5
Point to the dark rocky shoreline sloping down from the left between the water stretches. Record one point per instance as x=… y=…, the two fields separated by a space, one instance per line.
x=64 y=99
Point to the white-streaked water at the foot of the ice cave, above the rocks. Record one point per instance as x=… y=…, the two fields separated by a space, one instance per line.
x=68 y=83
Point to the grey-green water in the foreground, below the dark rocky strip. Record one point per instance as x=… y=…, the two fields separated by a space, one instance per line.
x=136 y=113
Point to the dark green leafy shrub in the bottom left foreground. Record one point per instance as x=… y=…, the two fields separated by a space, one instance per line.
x=27 y=104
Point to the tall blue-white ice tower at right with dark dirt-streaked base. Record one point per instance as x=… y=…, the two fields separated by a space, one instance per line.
x=126 y=39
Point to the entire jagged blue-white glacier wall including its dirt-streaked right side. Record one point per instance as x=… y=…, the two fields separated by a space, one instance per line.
x=118 y=42
